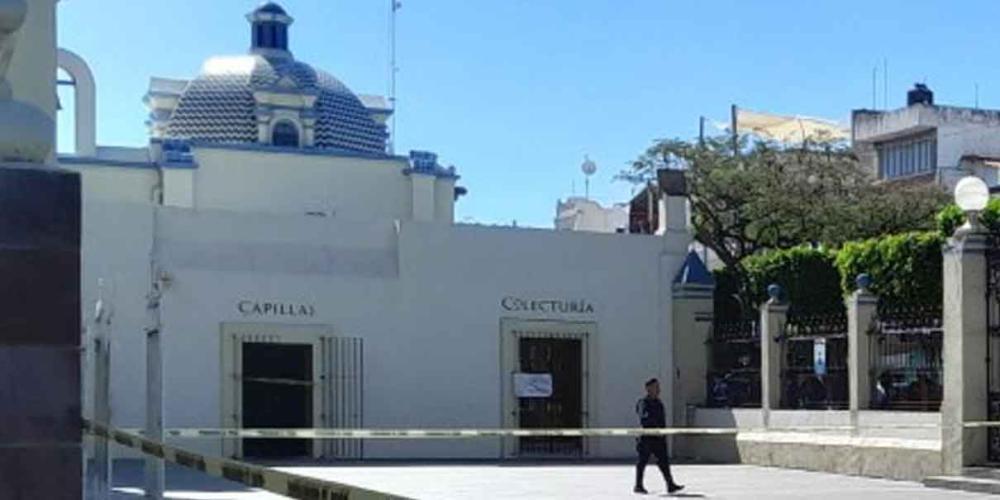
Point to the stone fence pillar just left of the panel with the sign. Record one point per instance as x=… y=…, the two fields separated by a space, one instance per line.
x=772 y=324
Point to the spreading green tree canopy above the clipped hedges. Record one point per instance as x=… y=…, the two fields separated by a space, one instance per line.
x=773 y=197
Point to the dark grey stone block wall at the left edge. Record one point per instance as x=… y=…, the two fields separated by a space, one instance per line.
x=40 y=397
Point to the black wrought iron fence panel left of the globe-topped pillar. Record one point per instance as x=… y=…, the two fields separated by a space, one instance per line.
x=905 y=345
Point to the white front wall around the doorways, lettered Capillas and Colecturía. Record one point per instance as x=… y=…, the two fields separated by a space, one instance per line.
x=426 y=301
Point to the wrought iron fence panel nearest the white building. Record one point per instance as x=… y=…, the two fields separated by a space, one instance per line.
x=734 y=365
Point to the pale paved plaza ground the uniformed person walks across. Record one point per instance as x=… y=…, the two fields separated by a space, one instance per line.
x=466 y=482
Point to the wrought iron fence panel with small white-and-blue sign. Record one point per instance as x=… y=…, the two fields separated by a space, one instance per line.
x=814 y=362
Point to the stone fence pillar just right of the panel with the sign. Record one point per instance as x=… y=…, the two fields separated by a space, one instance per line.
x=862 y=306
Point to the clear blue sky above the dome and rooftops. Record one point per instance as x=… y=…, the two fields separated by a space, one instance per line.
x=515 y=92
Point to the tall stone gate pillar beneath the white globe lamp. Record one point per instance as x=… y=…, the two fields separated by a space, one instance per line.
x=965 y=344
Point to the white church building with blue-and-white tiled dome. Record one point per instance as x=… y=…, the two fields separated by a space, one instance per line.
x=309 y=278
